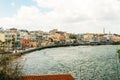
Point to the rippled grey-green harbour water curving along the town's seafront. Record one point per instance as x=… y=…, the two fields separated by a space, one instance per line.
x=82 y=62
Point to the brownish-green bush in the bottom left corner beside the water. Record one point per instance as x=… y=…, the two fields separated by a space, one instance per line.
x=8 y=70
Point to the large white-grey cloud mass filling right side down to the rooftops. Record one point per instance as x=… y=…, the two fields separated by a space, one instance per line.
x=85 y=15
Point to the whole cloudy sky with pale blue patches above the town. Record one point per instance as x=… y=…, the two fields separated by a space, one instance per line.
x=74 y=16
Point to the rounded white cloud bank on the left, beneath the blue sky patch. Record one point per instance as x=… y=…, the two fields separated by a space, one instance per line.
x=30 y=18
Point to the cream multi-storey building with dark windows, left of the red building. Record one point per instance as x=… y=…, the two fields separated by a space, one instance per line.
x=12 y=38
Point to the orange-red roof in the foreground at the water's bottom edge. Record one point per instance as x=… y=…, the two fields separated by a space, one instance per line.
x=48 y=77
